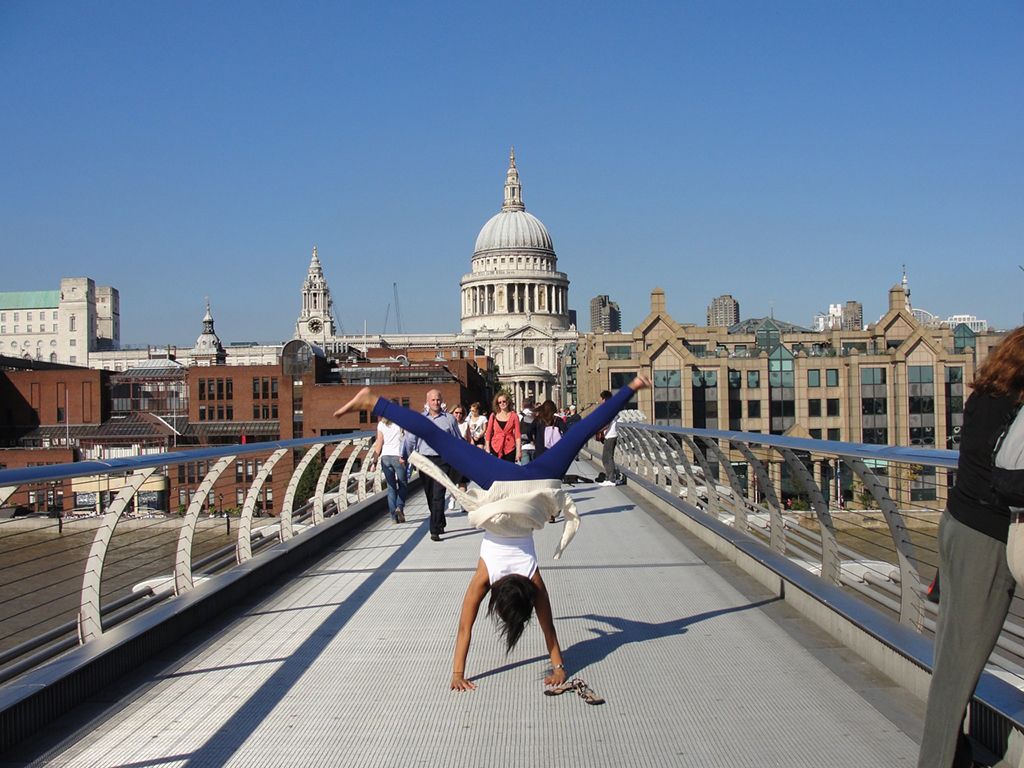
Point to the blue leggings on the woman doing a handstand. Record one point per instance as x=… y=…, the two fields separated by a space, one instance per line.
x=484 y=468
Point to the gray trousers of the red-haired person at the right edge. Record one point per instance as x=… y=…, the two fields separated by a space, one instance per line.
x=976 y=590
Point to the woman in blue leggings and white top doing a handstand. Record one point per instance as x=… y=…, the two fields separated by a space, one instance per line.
x=515 y=501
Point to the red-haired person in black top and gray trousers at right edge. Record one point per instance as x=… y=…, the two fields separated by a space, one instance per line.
x=977 y=585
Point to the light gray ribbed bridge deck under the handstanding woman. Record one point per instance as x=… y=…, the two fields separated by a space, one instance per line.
x=349 y=664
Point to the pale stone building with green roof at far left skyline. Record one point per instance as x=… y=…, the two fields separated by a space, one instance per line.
x=67 y=326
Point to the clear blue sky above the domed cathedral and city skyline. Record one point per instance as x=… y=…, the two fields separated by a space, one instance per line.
x=792 y=154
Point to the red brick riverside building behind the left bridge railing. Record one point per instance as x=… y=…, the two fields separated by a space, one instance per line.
x=56 y=414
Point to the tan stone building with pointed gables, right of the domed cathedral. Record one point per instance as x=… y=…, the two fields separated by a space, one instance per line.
x=895 y=383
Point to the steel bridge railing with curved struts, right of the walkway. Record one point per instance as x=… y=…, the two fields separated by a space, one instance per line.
x=861 y=518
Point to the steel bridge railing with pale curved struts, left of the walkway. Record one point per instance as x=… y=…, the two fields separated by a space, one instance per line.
x=67 y=579
